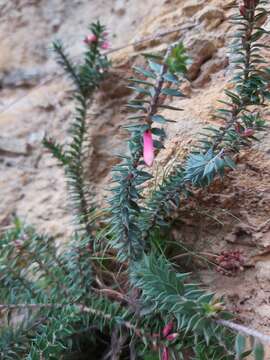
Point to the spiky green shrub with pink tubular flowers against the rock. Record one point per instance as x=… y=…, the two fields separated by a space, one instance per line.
x=112 y=283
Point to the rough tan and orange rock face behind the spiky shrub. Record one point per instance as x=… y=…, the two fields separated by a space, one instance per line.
x=34 y=101
